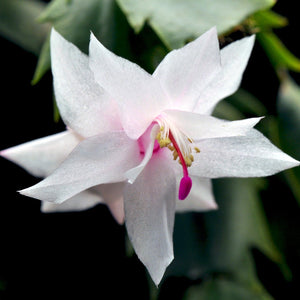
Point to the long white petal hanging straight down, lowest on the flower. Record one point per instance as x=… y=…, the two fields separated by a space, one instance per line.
x=149 y=215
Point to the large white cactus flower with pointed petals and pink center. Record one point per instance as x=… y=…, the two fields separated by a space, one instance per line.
x=147 y=141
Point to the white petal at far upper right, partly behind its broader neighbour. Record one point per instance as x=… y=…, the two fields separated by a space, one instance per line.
x=234 y=60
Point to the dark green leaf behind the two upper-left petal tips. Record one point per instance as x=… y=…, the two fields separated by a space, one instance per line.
x=76 y=19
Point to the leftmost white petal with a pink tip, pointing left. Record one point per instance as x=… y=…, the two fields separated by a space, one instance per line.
x=42 y=156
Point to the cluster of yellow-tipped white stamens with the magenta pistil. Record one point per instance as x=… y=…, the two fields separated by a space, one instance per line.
x=180 y=146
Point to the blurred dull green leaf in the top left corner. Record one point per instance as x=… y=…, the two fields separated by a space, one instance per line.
x=18 y=23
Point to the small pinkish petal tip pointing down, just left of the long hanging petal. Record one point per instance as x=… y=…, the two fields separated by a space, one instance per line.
x=112 y=195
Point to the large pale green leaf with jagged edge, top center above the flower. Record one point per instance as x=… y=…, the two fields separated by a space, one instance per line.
x=176 y=21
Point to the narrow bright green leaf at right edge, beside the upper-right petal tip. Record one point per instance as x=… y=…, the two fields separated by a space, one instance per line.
x=279 y=55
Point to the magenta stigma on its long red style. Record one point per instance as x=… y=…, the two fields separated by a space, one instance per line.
x=186 y=182
